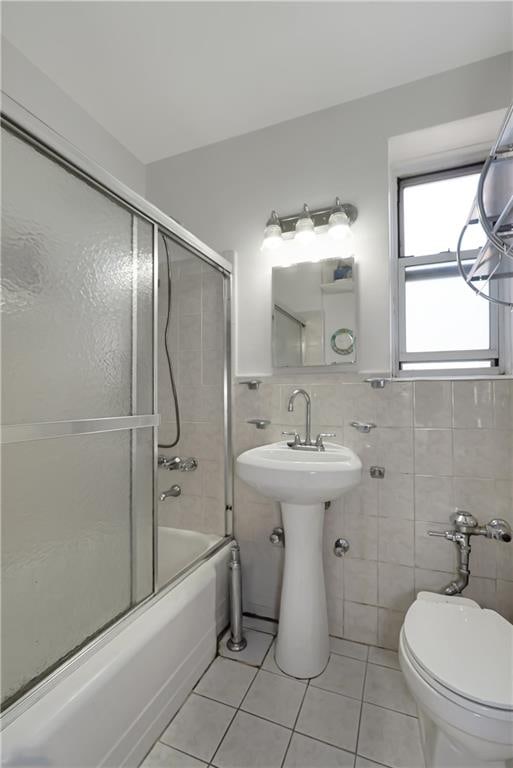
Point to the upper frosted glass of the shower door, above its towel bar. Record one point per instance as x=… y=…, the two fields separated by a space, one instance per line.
x=69 y=263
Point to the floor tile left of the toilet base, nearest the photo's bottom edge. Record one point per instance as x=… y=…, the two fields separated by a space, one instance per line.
x=390 y=737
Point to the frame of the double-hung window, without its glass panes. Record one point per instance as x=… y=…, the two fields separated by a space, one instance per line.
x=402 y=262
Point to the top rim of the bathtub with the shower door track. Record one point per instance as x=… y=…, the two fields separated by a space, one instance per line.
x=104 y=636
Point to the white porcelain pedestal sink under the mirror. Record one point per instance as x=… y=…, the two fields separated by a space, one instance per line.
x=302 y=481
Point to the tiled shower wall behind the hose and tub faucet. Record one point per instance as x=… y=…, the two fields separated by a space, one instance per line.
x=196 y=338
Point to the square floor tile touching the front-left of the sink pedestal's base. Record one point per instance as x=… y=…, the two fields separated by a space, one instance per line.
x=275 y=697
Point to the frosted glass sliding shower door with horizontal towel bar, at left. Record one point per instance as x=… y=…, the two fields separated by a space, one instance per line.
x=78 y=416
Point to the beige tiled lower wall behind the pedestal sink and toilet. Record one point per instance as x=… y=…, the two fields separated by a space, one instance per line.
x=443 y=445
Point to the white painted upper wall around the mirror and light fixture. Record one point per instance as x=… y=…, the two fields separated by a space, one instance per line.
x=224 y=192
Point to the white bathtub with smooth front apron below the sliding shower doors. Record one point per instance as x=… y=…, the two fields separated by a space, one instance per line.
x=108 y=705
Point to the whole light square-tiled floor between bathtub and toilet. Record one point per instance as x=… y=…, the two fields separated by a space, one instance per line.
x=246 y=713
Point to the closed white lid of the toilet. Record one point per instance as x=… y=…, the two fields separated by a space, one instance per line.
x=468 y=650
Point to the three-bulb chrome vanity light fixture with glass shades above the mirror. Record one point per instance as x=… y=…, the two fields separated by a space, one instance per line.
x=302 y=226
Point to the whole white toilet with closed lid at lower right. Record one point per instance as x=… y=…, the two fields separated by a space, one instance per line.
x=457 y=660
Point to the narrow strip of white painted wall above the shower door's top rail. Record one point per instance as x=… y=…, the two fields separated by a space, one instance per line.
x=27 y=85
